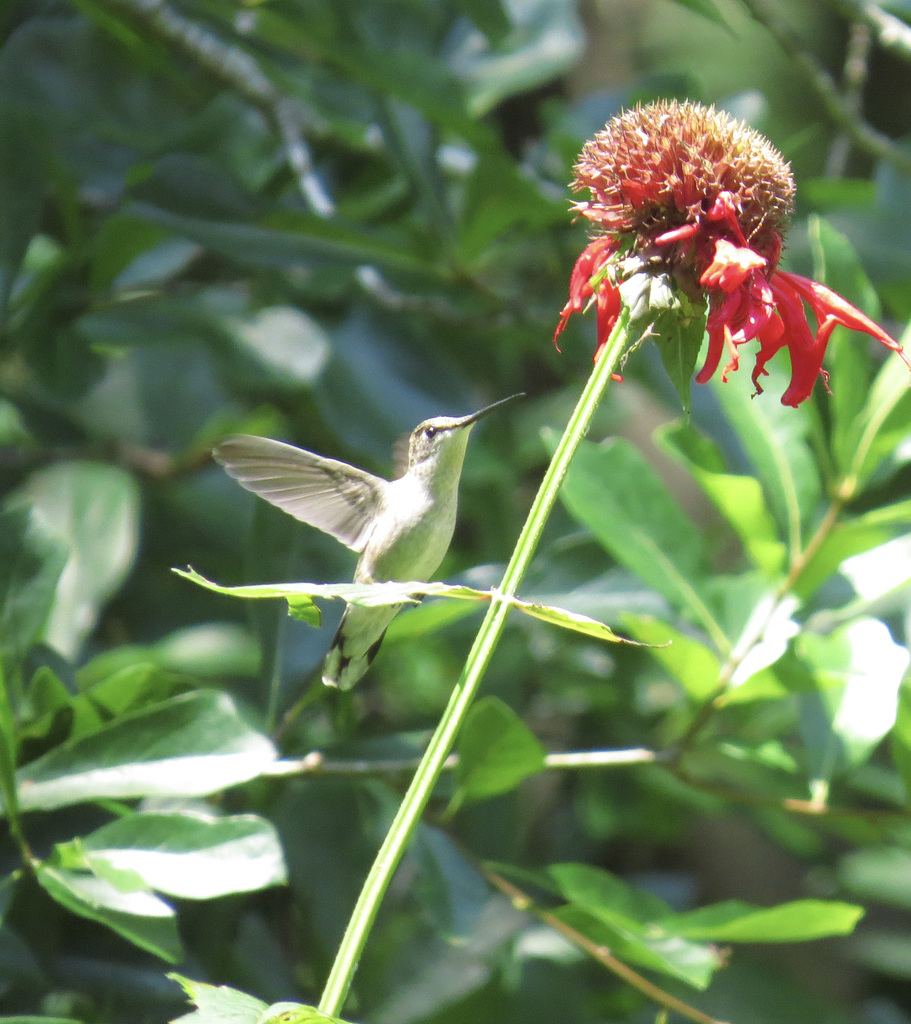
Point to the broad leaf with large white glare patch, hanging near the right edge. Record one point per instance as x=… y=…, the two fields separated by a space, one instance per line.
x=858 y=670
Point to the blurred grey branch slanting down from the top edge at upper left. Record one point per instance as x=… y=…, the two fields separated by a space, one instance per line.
x=237 y=69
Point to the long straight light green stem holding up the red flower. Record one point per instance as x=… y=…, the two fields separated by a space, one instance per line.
x=433 y=762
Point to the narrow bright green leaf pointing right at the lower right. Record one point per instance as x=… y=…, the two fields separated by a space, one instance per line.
x=800 y=921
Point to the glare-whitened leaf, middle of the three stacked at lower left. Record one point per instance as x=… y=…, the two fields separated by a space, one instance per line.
x=192 y=856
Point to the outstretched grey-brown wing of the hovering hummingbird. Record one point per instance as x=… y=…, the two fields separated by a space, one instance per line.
x=334 y=497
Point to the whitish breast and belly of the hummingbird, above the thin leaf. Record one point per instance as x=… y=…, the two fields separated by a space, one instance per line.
x=412 y=535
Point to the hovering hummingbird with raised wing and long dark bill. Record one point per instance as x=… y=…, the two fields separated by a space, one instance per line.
x=402 y=528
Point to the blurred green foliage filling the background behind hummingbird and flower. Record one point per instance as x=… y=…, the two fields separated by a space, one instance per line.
x=325 y=223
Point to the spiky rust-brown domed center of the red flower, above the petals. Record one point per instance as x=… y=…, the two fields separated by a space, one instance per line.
x=663 y=166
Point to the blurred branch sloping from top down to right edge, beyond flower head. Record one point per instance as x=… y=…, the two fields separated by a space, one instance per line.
x=864 y=136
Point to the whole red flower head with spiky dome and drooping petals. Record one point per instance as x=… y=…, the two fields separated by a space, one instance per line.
x=687 y=194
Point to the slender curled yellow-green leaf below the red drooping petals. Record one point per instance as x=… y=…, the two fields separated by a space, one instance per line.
x=740 y=499
